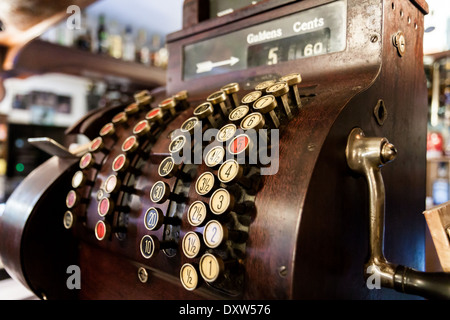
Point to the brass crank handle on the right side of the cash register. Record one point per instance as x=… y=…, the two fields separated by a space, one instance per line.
x=366 y=156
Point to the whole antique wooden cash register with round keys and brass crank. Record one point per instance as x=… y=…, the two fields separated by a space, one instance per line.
x=255 y=173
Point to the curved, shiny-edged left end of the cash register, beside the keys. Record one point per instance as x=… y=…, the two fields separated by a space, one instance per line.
x=36 y=251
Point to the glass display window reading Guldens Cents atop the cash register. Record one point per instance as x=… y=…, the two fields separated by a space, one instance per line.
x=313 y=32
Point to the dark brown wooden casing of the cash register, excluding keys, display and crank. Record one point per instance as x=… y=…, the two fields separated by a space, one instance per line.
x=309 y=236
